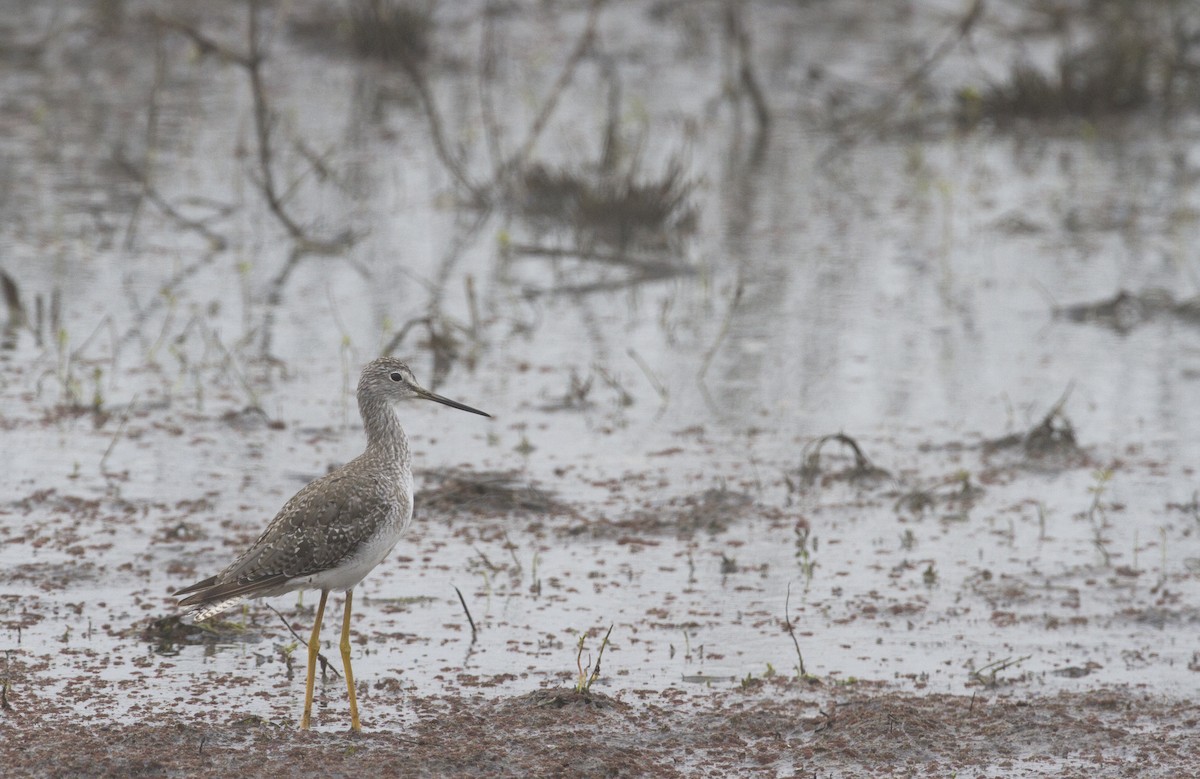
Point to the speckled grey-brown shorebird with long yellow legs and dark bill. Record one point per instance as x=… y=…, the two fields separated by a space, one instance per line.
x=332 y=534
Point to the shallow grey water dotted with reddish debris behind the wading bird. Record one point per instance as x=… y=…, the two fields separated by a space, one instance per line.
x=903 y=293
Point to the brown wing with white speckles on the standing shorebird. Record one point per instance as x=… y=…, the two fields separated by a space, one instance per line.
x=317 y=530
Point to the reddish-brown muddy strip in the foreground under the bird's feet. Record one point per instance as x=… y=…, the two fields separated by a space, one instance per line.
x=777 y=732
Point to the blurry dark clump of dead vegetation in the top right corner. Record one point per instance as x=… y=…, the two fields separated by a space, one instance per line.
x=1117 y=58
